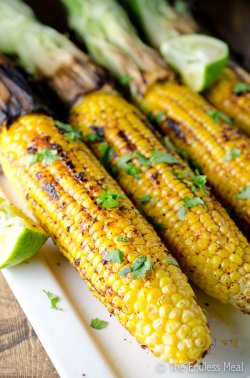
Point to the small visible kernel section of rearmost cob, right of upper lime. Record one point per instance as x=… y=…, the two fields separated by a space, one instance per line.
x=222 y=96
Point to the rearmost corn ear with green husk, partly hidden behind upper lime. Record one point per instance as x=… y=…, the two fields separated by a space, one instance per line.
x=160 y=21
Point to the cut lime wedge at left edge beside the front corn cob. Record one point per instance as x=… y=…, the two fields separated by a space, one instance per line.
x=20 y=237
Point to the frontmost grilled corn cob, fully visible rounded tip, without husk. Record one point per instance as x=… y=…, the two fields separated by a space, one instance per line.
x=63 y=192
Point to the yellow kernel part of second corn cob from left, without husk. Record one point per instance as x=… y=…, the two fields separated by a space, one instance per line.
x=207 y=244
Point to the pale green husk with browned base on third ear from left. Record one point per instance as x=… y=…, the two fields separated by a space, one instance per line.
x=116 y=45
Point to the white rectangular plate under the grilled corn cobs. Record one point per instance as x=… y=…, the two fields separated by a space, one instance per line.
x=77 y=350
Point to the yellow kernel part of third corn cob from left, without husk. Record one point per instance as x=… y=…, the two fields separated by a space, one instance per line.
x=189 y=126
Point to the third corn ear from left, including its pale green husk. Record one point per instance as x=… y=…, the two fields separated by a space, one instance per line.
x=208 y=136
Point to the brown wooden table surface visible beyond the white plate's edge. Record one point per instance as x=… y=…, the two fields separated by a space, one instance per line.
x=21 y=353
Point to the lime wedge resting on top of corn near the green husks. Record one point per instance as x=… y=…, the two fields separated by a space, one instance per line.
x=199 y=59
